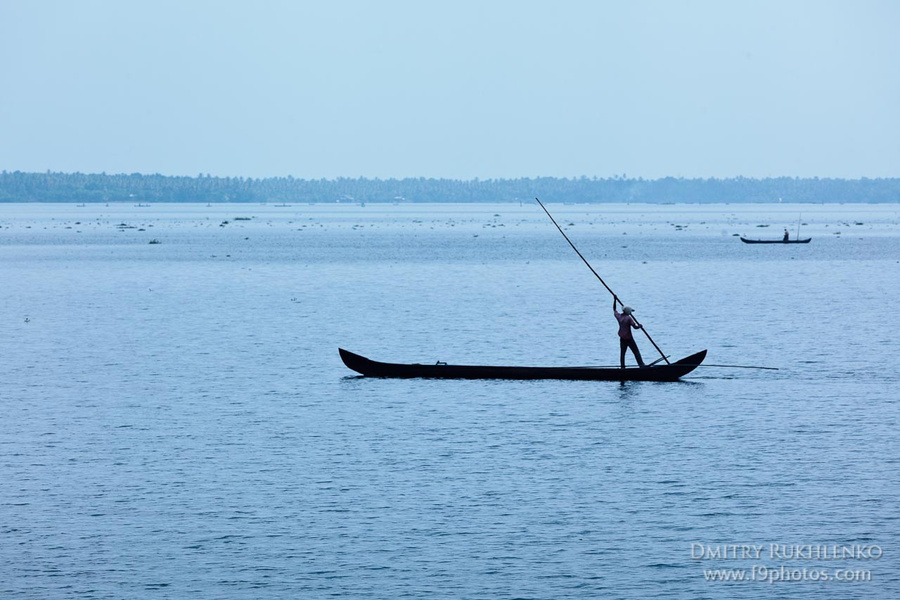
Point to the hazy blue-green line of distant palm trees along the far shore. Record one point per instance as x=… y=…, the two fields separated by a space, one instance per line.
x=138 y=188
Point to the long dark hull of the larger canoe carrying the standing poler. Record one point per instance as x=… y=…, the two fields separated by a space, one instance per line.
x=668 y=372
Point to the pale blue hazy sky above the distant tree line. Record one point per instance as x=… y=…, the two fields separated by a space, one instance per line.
x=463 y=89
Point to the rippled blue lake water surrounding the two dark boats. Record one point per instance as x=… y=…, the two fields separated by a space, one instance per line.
x=177 y=422
